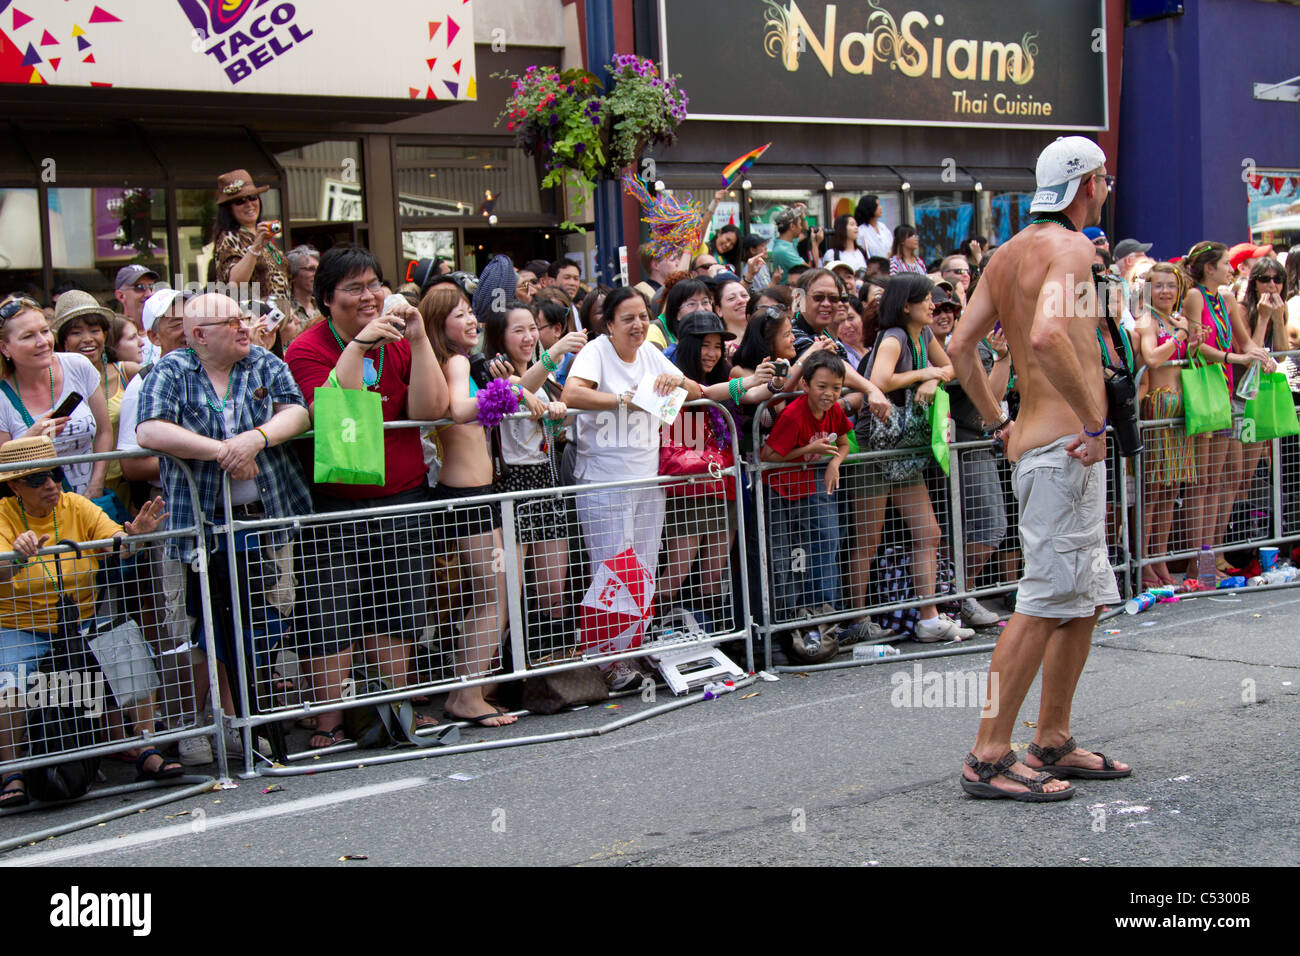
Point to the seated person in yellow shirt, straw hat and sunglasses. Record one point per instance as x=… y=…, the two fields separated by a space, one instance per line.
x=40 y=514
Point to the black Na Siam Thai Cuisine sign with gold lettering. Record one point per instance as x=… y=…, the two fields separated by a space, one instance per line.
x=955 y=63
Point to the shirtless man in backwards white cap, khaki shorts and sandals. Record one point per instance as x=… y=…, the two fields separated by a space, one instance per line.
x=1041 y=287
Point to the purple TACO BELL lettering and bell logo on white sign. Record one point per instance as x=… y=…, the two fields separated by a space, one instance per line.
x=246 y=36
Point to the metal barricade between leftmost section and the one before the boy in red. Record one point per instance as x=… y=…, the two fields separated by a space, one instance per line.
x=461 y=654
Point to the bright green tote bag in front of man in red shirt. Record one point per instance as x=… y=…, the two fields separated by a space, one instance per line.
x=349 y=435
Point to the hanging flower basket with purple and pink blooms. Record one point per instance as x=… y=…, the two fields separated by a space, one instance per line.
x=583 y=133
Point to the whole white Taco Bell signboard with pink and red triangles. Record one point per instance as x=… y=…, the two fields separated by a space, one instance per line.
x=418 y=50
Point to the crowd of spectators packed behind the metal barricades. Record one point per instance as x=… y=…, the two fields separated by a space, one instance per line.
x=855 y=327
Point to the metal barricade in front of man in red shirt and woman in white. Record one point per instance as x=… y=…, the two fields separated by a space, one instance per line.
x=466 y=587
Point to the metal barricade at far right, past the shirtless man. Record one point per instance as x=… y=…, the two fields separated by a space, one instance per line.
x=1272 y=513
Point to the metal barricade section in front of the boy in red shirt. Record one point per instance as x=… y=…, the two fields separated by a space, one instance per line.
x=952 y=504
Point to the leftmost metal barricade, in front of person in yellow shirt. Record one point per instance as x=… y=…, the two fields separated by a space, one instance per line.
x=127 y=663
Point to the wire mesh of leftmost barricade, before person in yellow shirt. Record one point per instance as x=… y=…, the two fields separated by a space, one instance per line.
x=94 y=652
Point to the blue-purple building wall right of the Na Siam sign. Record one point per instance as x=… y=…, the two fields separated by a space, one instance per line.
x=1189 y=119
